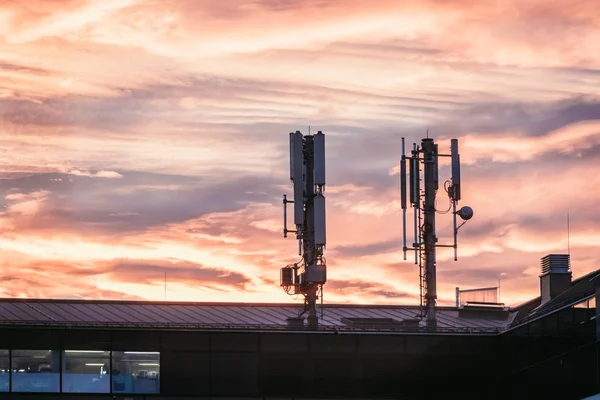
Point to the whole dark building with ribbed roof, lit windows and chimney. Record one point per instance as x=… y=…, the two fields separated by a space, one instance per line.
x=135 y=350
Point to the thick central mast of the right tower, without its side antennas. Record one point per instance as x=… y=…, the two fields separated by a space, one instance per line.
x=429 y=237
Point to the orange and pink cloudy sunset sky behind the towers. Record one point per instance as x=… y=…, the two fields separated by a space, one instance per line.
x=143 y=137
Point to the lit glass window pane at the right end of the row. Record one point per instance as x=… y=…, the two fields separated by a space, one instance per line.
x=136 y=371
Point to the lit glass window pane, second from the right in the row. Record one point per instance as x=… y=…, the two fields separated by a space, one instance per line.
x=86 y=371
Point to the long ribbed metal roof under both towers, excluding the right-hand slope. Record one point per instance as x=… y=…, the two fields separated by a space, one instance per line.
x=223 y=316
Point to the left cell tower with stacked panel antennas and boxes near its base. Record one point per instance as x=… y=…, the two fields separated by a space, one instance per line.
x=307 y=172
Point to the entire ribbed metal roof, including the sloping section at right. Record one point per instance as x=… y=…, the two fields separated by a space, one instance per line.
x=473 y=319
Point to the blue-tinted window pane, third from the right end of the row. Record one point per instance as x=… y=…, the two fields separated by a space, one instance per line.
x=35 y=371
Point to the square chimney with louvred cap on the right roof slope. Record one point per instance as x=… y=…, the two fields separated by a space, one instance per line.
x=556 y=276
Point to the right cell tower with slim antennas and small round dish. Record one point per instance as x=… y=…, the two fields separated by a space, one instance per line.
x=423 y=203
